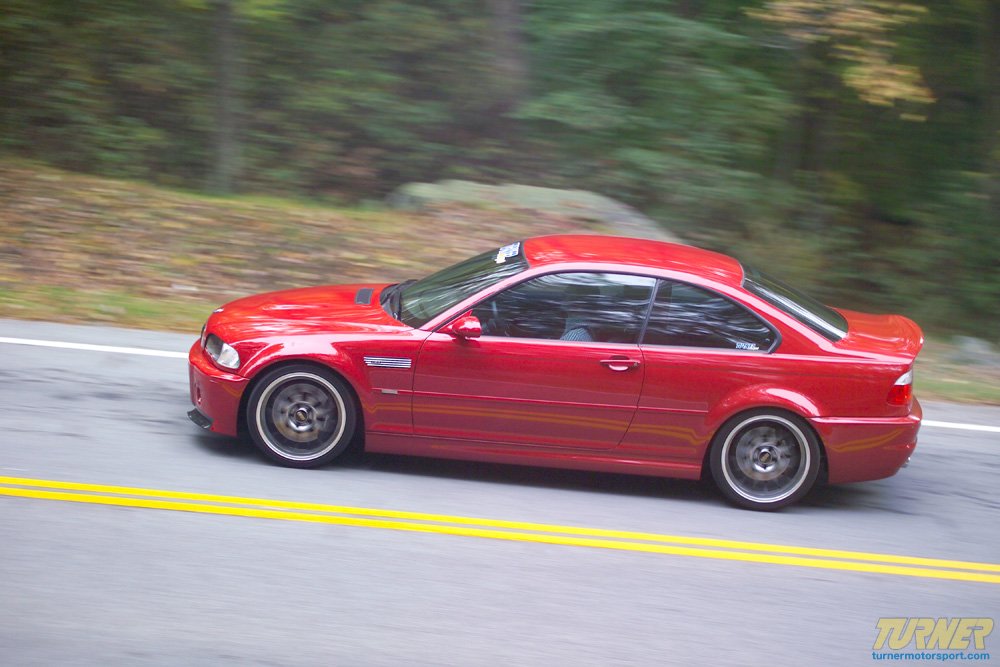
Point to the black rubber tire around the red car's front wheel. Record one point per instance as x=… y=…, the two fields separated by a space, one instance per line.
x=301 y=416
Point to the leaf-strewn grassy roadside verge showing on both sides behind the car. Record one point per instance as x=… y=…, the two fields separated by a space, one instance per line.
x=82 y=249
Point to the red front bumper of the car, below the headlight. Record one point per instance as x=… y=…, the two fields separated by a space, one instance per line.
x=215 y=394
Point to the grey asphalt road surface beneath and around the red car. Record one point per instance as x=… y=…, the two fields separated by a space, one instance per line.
x=92 y=584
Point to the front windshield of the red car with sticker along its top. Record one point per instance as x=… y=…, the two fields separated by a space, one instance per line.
x=427 y=298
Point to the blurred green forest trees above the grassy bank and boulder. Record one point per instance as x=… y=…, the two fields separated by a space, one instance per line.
x=773 y=129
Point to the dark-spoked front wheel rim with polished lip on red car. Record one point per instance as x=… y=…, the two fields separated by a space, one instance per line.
x=300 y=416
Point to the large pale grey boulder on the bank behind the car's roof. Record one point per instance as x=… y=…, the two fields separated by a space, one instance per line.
x=587 y=207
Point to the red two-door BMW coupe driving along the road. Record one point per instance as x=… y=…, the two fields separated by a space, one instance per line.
x=587 y=352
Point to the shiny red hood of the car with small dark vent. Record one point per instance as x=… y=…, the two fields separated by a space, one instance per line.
x=329 y=309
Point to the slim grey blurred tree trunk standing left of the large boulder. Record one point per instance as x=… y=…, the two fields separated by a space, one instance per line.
x=225 y=167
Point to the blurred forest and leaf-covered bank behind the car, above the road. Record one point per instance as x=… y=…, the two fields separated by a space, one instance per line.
x=852 y=147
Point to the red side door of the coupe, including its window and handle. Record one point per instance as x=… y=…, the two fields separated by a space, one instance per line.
x=557 y=365
